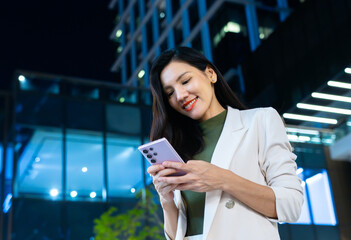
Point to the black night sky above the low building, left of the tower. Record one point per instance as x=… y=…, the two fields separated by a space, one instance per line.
x=57 y=37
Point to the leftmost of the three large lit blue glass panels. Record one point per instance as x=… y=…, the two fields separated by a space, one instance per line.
x=40 y=163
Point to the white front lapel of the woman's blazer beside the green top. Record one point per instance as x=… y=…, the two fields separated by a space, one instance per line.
x=231 y=136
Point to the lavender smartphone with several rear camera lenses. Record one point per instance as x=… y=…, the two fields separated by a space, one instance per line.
x=158 y=151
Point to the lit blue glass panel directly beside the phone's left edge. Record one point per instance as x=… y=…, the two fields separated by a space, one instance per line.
x=125 y=170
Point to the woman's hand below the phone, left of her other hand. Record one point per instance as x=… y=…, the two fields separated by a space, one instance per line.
x=164 y=190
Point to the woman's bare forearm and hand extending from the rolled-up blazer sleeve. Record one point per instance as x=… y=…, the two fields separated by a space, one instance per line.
x=202 y=176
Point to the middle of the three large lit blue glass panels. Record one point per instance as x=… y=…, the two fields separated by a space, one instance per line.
x=84 y=165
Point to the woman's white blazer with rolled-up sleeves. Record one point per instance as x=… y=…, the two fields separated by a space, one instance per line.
x=254 y=145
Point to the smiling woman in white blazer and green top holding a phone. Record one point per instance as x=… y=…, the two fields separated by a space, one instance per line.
x=240 y=172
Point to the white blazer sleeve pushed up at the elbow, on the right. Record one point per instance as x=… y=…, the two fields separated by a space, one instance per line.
x=279 y=167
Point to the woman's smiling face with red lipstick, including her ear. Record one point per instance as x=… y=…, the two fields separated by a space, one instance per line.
x=191 y=91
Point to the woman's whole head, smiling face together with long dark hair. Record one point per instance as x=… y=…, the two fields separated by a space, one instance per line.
x=169 y=75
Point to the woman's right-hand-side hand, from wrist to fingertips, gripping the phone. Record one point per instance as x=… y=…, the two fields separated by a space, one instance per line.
x=200 y=176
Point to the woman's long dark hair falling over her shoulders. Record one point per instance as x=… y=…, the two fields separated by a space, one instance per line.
x=183 y=132
